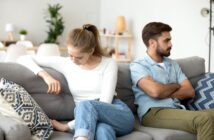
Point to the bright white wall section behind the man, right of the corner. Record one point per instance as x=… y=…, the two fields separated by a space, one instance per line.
x=190 y=29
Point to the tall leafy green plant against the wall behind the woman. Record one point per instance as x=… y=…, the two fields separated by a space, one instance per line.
x=55 y=23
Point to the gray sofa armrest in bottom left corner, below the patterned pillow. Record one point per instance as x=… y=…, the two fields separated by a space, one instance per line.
x=12 y=129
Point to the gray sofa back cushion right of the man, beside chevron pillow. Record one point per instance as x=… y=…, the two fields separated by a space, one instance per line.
x=193 y=67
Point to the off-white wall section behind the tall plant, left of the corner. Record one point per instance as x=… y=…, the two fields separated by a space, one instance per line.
x=29 y=14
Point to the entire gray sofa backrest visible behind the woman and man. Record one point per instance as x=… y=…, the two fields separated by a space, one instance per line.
x=61 y=107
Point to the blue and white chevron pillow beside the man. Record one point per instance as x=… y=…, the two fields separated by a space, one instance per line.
x=204 y=94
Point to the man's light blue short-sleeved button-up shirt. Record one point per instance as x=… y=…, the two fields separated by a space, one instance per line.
x=148 y=67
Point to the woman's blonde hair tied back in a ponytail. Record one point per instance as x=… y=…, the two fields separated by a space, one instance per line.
x=86 y=38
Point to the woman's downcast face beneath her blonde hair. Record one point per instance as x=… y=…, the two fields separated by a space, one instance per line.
x=78 y=57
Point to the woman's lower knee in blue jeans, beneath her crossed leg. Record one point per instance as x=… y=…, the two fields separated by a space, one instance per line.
x=105 y=131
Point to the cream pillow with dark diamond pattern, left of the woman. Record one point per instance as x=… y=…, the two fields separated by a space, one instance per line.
x=16 y=103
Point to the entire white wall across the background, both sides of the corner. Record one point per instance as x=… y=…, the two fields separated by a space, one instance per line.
x=190 y=29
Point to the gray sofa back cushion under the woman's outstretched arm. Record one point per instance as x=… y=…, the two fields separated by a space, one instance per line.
x=58 y=107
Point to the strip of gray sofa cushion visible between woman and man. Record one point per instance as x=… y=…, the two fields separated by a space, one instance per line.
x=124 y=86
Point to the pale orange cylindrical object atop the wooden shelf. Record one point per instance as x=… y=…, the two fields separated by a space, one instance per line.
x=120 y=25
